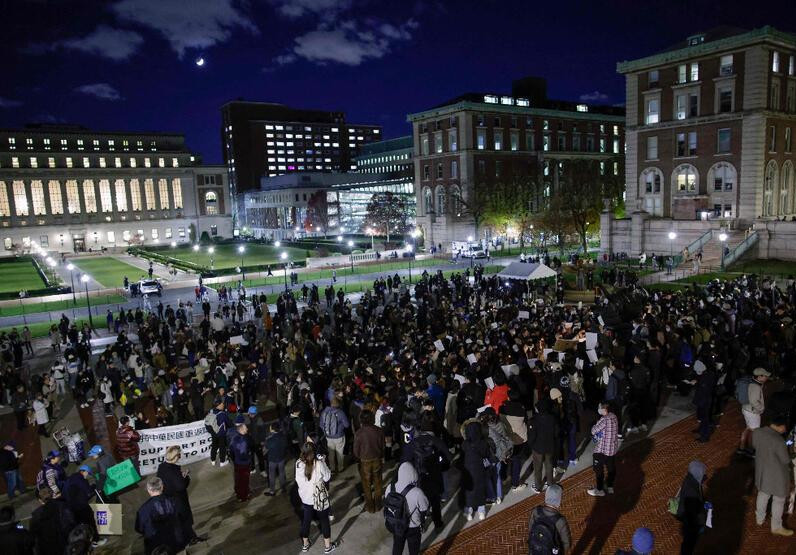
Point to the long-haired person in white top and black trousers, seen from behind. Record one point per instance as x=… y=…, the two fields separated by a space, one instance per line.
x=312 y=475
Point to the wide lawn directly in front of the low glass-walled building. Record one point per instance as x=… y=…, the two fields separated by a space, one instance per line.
x=227 y=256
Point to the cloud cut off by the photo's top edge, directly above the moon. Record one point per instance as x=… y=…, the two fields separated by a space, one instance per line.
x=197 y=24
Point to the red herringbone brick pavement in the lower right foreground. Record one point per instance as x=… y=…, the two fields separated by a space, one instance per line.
x=649 y=471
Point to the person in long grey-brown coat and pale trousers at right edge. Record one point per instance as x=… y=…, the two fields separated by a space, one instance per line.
x=772 y=474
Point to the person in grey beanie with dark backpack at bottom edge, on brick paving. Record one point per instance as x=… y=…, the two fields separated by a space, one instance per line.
x=548 y=530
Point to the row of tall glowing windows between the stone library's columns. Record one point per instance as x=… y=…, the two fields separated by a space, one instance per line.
x=41 y=199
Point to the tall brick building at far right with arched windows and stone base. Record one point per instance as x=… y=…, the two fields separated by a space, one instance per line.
x=710 y=125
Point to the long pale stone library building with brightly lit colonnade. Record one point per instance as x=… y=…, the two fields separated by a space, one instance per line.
x=71 y=189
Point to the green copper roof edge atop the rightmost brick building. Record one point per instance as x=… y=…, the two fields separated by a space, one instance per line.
x=764 y=34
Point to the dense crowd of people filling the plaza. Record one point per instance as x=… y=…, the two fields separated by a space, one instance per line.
x=453 y=375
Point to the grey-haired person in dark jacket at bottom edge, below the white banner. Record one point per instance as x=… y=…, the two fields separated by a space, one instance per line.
x=158 y=521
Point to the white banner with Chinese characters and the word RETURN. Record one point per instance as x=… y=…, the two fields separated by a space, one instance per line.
x=193 y=439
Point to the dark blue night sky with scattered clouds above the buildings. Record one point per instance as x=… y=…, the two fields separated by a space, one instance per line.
x=131 y=64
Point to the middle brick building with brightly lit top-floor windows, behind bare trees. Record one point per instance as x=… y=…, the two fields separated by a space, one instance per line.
x=479 y=139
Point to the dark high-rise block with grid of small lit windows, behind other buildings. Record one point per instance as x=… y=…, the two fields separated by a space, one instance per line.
x=264 y=139
